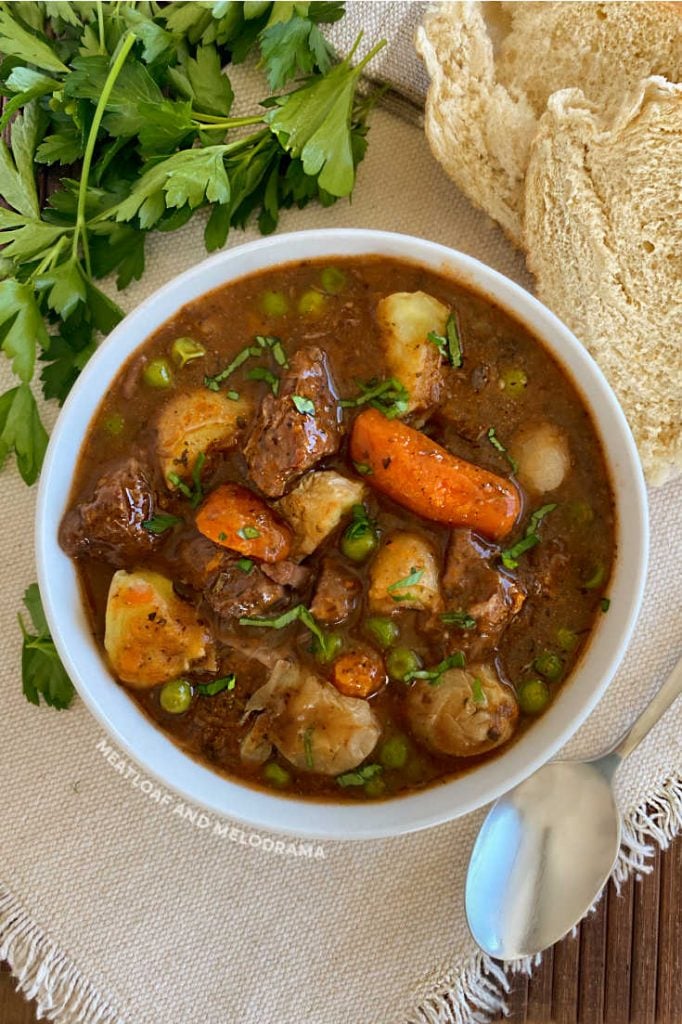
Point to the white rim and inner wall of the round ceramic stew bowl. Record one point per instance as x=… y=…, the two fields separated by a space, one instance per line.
x=149 y=746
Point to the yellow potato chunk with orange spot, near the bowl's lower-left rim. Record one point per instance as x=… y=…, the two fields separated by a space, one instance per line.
x=151 y=635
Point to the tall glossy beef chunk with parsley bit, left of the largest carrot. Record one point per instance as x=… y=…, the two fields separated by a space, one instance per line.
x=284 y=443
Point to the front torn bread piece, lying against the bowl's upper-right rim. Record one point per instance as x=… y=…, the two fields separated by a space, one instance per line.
x=604 y=237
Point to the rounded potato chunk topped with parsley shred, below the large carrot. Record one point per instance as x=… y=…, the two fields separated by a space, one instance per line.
x=405 y=575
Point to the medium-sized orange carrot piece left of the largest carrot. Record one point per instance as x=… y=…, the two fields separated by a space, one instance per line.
x=234 y=518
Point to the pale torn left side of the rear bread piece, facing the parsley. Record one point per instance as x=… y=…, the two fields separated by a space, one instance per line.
x=477 y=130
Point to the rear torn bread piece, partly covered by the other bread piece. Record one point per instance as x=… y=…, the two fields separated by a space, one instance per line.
x=493 y=67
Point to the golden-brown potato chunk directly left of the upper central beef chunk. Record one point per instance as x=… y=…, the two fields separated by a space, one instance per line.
x=196 y=422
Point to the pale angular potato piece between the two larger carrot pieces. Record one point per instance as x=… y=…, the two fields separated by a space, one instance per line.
x=317 y=506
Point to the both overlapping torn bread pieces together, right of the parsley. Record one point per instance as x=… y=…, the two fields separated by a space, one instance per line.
x=565 y=123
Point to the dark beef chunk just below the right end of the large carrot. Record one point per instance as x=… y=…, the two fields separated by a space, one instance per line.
x=474 y=585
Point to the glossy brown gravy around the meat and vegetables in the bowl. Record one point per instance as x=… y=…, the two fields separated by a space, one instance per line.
x=578 y=538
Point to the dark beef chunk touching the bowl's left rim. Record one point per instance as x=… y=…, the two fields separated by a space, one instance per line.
x=110 y=525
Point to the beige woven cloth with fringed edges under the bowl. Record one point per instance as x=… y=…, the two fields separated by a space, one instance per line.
x=118 y=904
